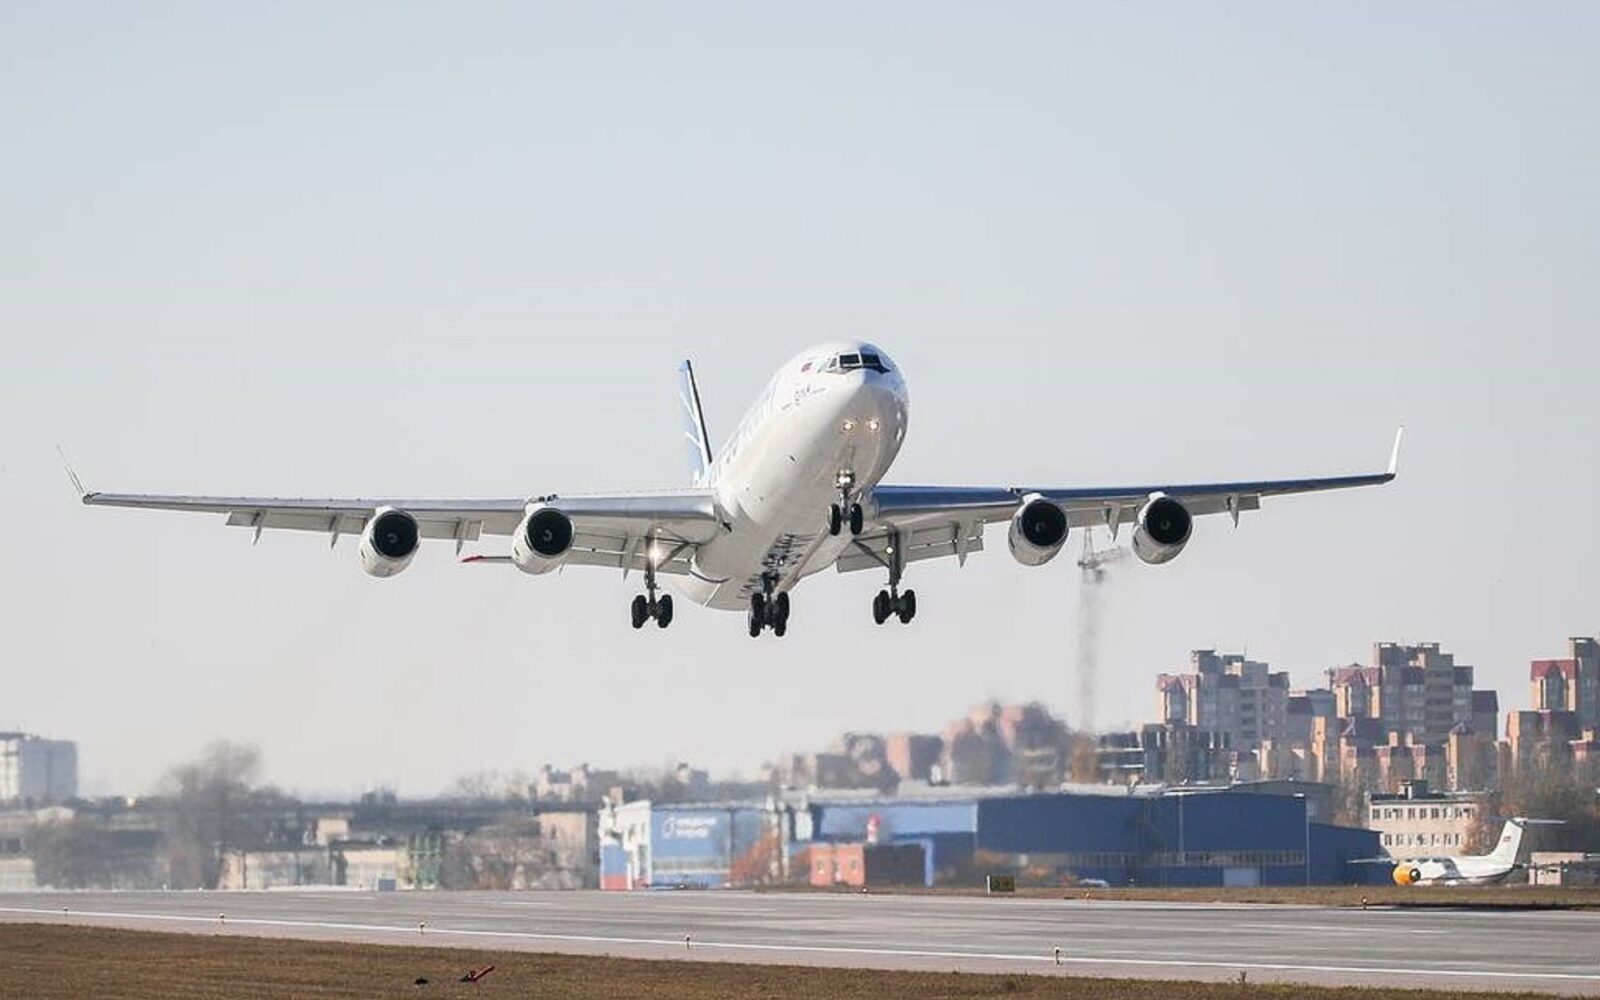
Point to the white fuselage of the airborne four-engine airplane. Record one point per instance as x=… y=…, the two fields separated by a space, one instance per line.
x=815 y=436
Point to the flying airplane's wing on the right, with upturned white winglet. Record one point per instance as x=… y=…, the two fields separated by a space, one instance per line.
x=950 y=521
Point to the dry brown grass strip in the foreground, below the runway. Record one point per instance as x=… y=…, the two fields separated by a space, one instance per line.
x=41 y=962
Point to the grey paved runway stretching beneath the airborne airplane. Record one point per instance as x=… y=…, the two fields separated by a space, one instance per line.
x=1556 y=953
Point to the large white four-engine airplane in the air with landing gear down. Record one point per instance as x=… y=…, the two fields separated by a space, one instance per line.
x=798 y=489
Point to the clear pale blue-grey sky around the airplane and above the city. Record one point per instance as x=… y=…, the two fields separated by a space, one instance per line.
x=308 y=249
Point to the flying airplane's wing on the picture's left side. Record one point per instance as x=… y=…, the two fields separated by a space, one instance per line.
x=609 y=530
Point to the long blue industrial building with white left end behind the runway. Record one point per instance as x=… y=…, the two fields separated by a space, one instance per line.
x=1148 y=838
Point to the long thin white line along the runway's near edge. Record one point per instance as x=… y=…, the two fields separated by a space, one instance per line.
x=825 y=950
